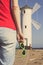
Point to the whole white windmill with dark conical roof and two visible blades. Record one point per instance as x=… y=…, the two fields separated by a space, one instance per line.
x=27 y=21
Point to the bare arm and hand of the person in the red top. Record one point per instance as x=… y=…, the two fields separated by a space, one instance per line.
x=17 y=19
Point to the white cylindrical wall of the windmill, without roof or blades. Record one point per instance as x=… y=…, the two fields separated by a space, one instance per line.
x=26 y=21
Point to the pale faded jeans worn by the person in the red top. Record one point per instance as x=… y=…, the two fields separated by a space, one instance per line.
x=7 y=46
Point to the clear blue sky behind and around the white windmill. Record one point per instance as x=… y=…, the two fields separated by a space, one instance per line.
x=37 y=35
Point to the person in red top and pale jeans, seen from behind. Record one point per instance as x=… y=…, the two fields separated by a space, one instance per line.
x=8 y=28
